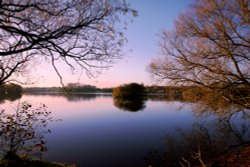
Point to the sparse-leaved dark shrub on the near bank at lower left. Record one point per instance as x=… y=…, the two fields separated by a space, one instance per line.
x=22 y=133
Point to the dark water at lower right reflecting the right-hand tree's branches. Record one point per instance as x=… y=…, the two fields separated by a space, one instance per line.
x=218 y=134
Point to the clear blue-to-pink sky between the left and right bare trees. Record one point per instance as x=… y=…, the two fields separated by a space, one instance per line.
x=143 y=39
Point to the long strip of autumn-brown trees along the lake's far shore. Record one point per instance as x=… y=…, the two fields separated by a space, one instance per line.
x=168 y=93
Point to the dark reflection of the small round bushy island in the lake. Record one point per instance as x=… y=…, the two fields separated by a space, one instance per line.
x=129 y=104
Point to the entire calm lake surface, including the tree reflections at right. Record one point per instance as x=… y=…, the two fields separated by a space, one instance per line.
x=96 y=131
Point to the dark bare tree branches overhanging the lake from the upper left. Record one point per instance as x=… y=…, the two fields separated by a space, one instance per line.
x=80 y=33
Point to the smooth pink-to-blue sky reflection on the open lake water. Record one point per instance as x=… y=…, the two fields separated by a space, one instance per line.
x=96 y=133
